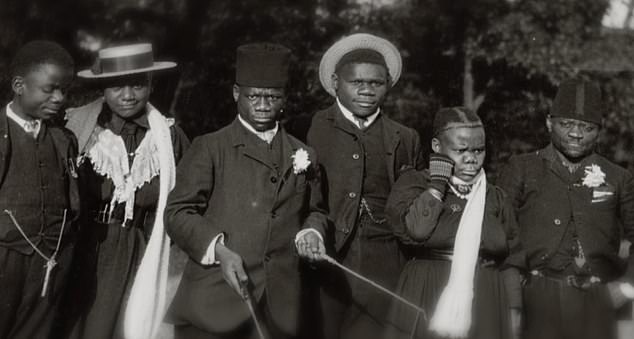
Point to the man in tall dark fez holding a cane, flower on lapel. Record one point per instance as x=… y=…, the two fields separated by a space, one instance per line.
x=247 y=201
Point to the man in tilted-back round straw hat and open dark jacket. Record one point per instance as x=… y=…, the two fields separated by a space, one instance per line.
x=362 y=152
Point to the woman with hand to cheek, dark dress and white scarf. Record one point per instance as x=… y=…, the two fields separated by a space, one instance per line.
x=465 y=240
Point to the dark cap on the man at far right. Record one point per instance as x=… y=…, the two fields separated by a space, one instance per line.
x=578 y=99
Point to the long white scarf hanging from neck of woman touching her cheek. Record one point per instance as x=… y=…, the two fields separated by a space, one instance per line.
x=452 y=317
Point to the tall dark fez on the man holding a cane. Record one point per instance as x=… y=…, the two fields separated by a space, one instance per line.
x=263 y=65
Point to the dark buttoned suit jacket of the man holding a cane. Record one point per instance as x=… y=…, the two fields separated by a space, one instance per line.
x=223 y=185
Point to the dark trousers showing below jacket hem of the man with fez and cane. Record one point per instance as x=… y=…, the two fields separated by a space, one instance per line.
x=244 y=331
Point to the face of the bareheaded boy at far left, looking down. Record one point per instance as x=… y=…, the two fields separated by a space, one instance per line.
x=39 y=94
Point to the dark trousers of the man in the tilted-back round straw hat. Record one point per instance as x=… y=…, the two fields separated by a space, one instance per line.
x=351 y=308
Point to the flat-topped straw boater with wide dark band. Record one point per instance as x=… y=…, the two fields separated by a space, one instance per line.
x=124 y=60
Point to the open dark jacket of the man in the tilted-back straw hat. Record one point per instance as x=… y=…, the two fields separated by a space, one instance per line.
x=342 y=158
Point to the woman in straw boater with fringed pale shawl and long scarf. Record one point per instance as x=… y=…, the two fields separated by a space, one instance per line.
x=128 y=152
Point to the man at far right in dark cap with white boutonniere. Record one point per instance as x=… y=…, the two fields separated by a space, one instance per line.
x=573 y=208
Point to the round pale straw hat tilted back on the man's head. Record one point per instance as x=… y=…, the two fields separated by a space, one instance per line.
x=355 y=42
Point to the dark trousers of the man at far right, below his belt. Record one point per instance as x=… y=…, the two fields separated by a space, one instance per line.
x=555 y=310
